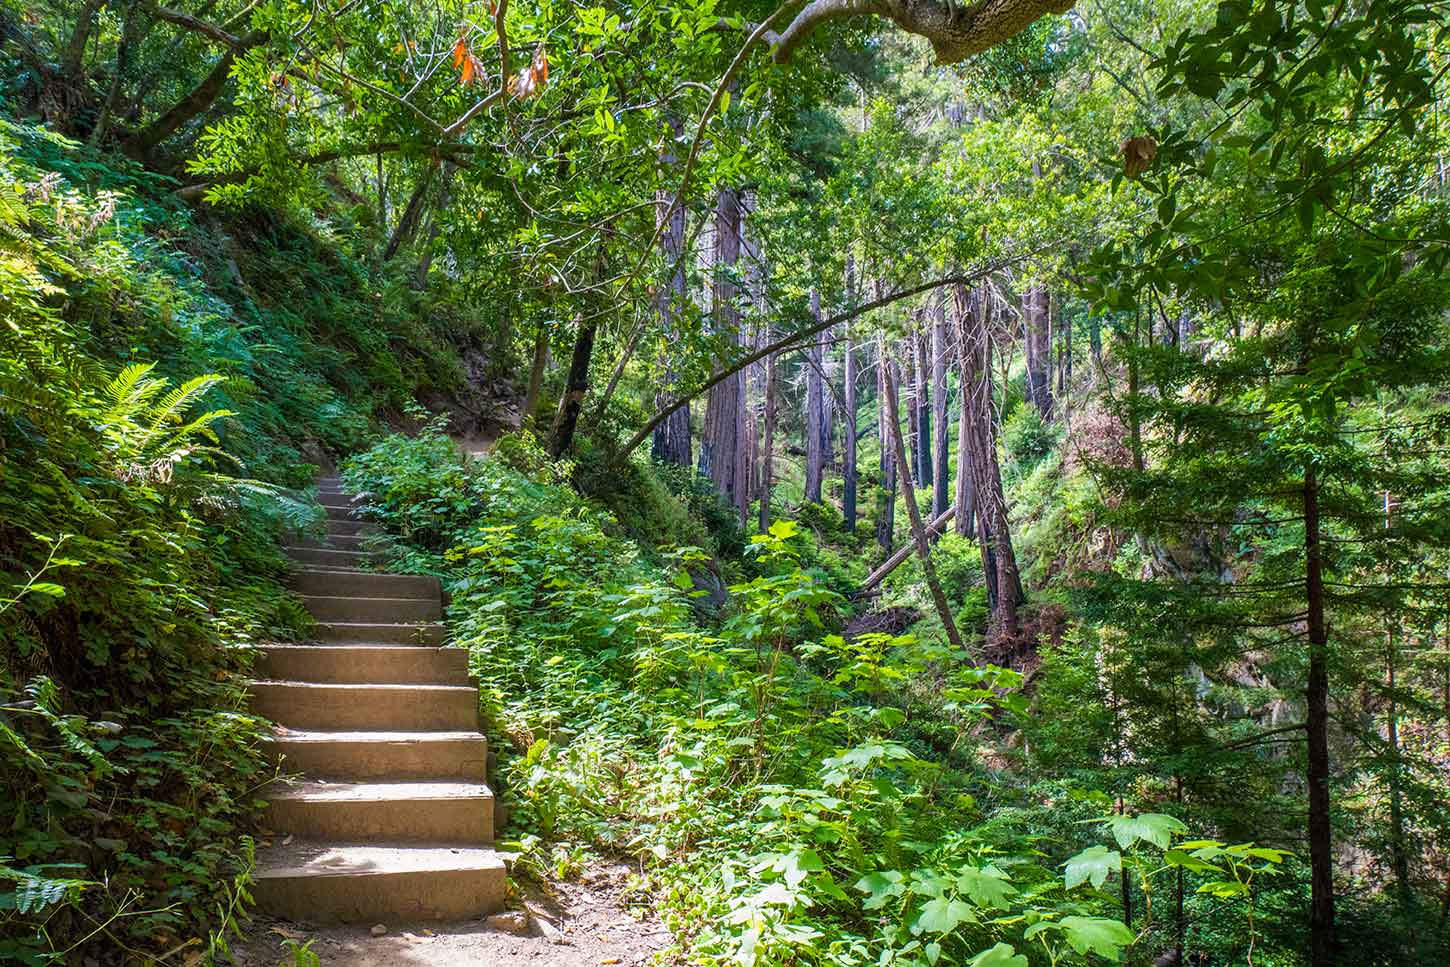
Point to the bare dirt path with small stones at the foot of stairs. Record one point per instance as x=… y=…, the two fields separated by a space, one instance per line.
x=591 y=923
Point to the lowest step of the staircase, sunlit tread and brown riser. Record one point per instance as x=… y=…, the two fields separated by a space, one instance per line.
x=370 y=884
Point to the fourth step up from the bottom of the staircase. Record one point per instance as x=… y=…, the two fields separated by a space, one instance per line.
x=402 y=708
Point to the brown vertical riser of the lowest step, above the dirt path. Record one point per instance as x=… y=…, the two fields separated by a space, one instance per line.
x=362 y=898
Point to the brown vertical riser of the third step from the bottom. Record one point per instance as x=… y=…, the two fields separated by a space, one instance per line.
x=357 y=760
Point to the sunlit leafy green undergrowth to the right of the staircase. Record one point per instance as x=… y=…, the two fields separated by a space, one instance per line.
x=791 y=797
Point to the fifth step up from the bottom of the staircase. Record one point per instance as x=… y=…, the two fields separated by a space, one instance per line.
x=363 y=665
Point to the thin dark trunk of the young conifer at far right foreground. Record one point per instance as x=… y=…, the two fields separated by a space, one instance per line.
x=1317 y=727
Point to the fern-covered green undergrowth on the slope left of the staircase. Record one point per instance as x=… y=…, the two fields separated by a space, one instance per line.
x=163 y=388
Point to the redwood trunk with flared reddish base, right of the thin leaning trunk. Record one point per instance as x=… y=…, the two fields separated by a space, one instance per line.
x=1000 y=562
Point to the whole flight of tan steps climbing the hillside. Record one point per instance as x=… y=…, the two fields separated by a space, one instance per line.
x=392 y=820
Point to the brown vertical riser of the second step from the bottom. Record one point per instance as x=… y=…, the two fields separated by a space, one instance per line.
x=455 y=821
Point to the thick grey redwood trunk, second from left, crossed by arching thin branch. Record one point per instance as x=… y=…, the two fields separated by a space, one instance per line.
x=720 y=443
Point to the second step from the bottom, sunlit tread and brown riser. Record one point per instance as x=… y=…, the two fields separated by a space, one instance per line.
x=384 y=813
